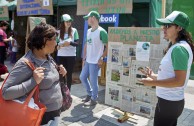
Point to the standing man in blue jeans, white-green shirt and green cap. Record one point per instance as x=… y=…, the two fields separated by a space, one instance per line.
x=95 y=49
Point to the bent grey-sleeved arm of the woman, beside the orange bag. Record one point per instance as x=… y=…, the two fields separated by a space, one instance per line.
x=19 y=82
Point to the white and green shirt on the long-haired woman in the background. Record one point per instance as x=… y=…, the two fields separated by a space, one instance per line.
x=69 y=50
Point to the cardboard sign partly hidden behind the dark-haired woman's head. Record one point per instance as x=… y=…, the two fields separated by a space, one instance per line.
x=31 y=24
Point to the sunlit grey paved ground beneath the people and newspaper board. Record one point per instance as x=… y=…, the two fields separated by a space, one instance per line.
x=104 y=115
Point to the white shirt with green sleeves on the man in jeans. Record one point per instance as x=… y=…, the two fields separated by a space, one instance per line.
x=95 y=44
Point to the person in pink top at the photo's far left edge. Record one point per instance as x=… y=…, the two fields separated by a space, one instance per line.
x=3 y=40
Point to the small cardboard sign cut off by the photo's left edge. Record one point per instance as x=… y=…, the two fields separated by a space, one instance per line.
x=4 y=13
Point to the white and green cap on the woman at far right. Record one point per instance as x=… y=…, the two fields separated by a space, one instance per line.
x=176 y=17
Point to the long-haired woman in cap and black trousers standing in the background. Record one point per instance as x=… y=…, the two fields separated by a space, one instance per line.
x=68 y=41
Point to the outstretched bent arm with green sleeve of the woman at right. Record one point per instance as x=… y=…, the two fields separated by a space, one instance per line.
x=180 y=69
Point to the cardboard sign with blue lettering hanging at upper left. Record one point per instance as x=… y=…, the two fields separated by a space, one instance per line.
x=34 y=7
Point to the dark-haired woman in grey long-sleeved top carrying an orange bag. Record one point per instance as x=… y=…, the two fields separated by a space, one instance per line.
x=41 y=42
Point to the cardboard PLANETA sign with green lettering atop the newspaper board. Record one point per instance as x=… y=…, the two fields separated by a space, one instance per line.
x=130 y=35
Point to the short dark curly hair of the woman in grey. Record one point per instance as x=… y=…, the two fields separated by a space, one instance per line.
x=39 y=35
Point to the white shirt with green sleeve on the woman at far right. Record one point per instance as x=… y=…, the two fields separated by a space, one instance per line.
x=178 y=57
